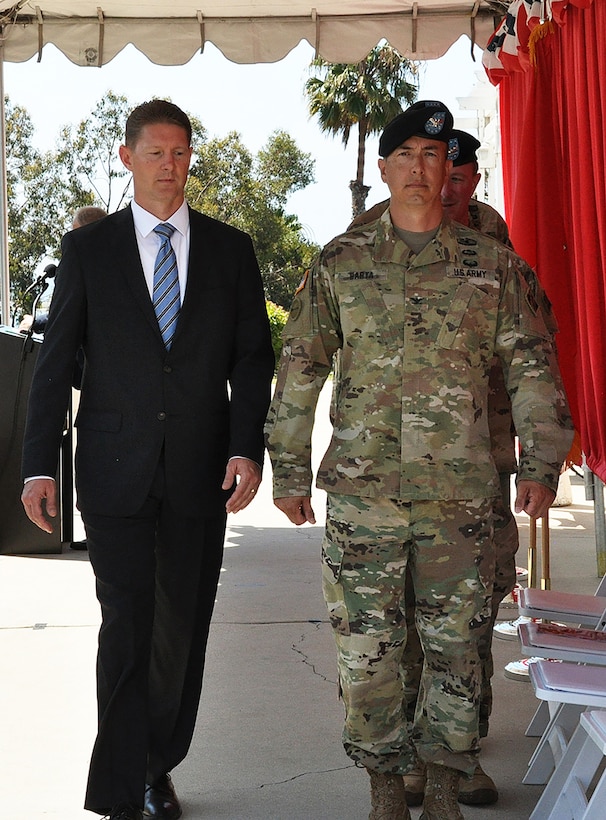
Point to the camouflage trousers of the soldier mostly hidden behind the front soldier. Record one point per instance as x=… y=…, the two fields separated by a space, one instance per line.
x=506 y=543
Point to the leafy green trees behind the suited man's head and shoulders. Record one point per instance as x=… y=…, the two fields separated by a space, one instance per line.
x=227 y=182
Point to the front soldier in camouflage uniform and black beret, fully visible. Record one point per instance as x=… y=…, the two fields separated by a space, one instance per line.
x=418 y=306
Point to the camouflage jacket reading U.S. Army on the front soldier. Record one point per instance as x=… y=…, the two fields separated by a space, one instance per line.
x=418 y=334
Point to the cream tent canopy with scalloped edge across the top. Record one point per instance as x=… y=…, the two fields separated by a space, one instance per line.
x=246 y=31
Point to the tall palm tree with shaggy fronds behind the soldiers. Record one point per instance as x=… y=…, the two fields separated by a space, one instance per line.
x=368 y=93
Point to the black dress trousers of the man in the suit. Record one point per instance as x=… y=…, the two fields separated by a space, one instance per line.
x=156 y=579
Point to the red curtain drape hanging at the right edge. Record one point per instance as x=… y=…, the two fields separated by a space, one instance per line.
x=553 y=123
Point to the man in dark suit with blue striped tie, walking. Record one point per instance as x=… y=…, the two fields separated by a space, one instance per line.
x=169 y=441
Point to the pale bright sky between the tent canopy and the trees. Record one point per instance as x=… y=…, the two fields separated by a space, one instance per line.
x=254 y=100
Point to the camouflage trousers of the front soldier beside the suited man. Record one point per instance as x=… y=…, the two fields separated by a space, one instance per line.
x=448 y=547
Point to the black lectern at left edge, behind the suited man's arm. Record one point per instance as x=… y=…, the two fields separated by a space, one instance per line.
x=18 y=536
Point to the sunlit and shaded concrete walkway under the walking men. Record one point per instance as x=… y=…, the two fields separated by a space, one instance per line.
x=267 y=744
